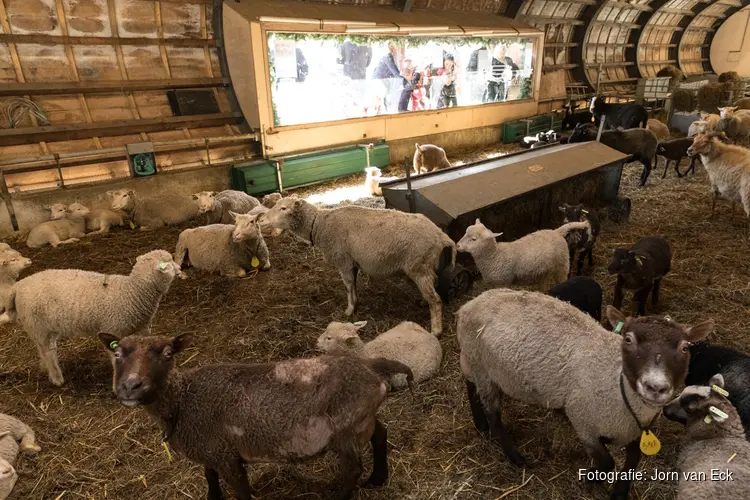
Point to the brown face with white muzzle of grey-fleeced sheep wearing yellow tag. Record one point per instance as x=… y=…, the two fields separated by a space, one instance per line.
x=655 y=353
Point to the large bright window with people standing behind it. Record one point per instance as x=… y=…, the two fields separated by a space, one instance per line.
x=316 y=78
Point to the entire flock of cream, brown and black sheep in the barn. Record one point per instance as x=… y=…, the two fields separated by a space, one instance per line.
x=546 y=348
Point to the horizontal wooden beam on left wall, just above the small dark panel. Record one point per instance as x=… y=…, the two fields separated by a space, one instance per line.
x=107 y=87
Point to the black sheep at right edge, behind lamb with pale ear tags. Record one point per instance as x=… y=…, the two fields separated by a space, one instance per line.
x=706 y=360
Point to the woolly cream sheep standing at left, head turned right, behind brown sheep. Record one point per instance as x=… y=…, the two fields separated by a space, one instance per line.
x=70 y=302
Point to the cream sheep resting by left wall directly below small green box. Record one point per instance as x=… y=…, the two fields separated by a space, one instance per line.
x=150 y=213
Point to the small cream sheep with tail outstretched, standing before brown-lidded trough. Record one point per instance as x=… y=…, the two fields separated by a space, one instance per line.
x=539 y=258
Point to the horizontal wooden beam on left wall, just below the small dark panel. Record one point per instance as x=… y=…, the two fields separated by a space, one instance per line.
x=76 y=131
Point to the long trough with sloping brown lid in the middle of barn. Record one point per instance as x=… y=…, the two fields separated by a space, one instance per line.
x=514 y=194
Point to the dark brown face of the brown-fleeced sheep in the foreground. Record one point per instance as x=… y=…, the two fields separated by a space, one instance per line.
x=141 y=365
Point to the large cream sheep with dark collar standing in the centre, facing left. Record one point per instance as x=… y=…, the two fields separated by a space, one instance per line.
x=406 y=244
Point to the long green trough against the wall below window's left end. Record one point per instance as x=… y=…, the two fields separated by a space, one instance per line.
x=287 y=172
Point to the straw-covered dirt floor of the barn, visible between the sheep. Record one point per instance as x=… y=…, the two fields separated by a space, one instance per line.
x=95 y=448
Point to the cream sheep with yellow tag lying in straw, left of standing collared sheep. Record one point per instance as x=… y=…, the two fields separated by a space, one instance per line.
x=229 y=249
